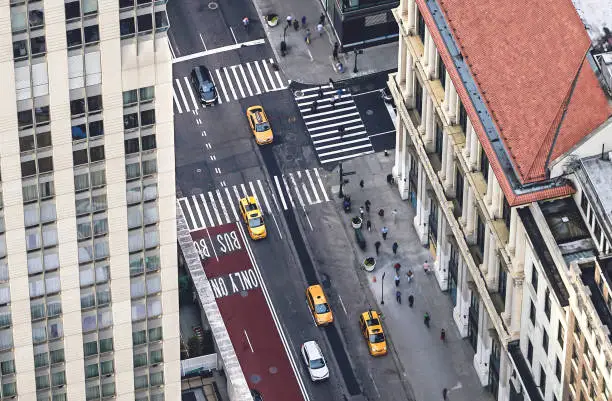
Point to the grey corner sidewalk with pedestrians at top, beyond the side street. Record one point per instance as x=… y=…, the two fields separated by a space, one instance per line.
x=313 y=64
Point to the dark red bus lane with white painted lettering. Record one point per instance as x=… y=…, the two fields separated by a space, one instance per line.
x=242 y=303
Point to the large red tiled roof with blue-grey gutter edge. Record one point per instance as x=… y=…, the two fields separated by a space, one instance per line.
x=514 y=76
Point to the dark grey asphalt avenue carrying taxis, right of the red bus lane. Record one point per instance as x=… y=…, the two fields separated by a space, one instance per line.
x=217 y=161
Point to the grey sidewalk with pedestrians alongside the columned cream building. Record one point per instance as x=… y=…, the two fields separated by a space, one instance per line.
x=430 y=364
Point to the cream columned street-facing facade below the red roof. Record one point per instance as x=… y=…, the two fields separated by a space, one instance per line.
x=507 y=300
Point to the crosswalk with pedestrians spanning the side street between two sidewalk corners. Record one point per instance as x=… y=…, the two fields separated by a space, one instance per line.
x=324 y=119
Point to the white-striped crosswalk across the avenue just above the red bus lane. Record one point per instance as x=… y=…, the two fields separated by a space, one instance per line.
x=220 y=206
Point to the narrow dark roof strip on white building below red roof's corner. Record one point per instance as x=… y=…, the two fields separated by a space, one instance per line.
x=550 y=269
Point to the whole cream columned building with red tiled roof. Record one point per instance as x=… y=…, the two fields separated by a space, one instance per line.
x=495 y=101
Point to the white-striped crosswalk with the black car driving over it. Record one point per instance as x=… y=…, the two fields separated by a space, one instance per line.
x=234 y=82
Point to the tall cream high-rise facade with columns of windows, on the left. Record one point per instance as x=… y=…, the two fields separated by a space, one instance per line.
x=88 y=254
